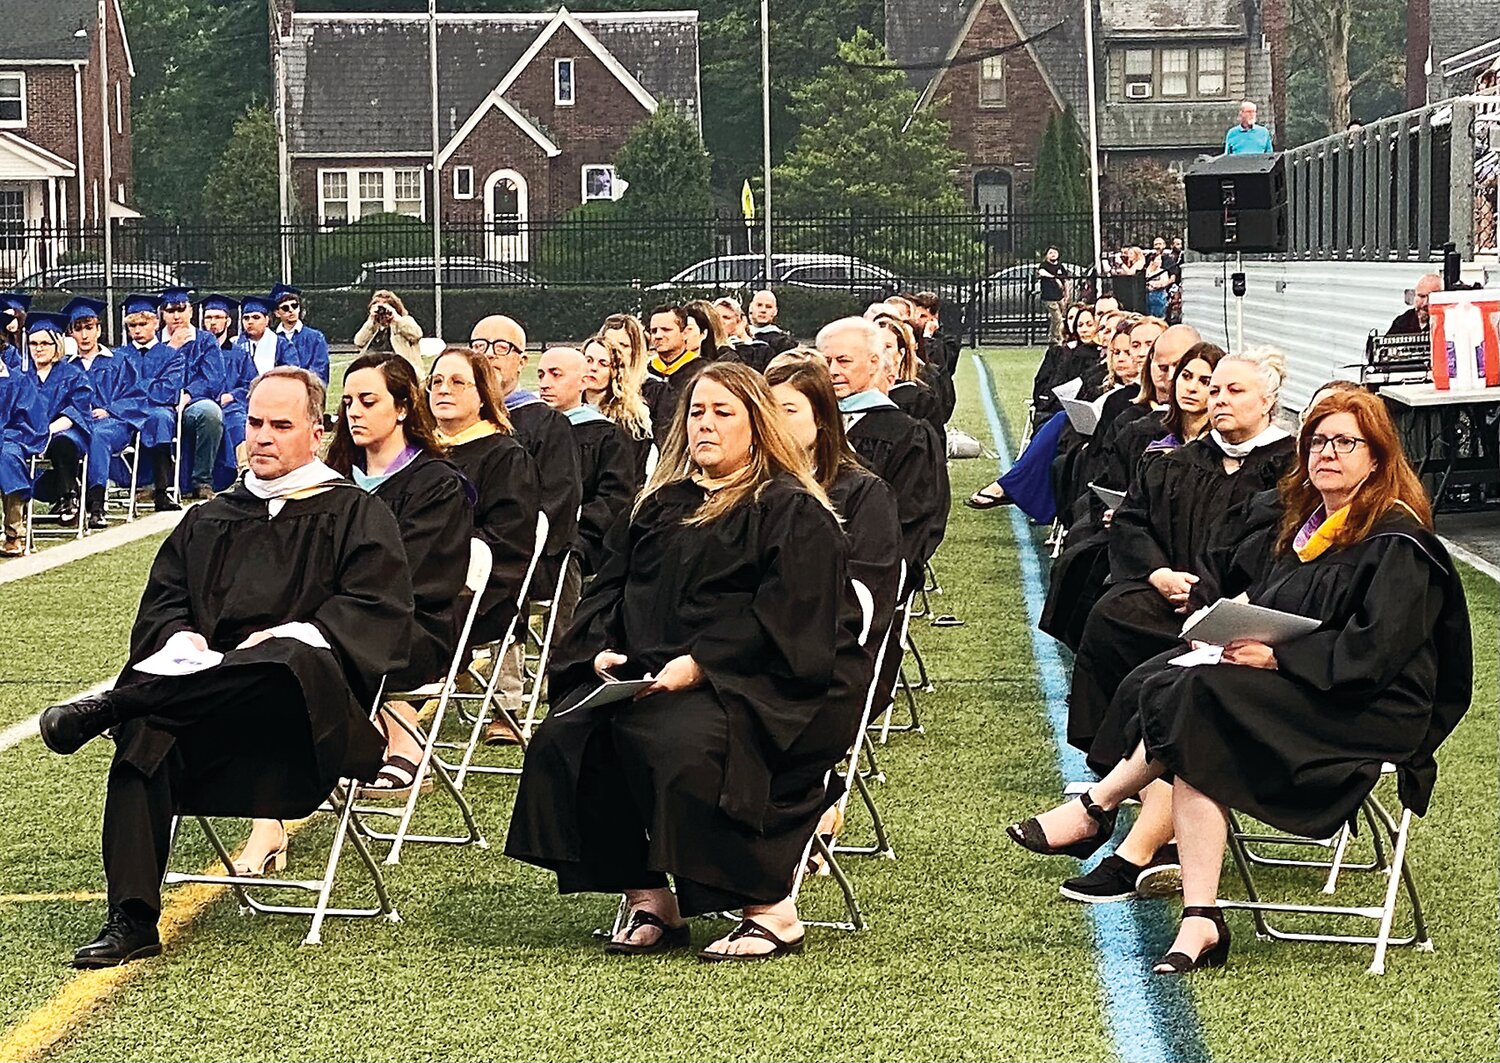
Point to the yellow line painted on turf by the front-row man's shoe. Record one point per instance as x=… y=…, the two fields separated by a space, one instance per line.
x=82 y=996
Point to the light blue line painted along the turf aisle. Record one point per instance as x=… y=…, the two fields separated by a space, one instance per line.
x=1151 y=1019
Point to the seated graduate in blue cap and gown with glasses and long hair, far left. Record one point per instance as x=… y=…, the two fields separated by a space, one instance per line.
x=65 y=403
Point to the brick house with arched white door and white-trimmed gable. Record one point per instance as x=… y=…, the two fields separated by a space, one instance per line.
x=532 y=112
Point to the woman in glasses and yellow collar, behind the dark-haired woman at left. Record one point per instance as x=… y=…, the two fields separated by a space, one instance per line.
x=476 y=431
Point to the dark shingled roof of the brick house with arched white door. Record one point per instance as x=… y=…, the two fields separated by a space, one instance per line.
x=359 y=83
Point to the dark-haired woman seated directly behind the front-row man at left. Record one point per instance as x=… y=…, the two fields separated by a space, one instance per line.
x=386 y=425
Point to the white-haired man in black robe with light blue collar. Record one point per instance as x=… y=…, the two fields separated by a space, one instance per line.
x=899 y=449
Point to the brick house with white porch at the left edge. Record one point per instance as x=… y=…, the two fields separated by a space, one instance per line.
x=58 y=119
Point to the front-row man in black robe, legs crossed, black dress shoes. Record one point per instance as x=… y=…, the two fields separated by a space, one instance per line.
x=298 y=579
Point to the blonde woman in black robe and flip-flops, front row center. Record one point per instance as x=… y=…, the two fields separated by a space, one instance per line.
x=728 y=590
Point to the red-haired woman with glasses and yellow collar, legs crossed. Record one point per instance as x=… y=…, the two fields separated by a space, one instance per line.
x=1295 y=735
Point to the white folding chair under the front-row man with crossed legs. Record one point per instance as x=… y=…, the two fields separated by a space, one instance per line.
x=347 y=830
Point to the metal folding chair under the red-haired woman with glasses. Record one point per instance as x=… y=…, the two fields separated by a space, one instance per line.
x=1249 y=851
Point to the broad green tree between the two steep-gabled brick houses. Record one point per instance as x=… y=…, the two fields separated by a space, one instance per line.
x=856 y=152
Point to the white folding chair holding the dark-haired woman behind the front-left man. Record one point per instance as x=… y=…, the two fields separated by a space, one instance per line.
x=475 y=584
